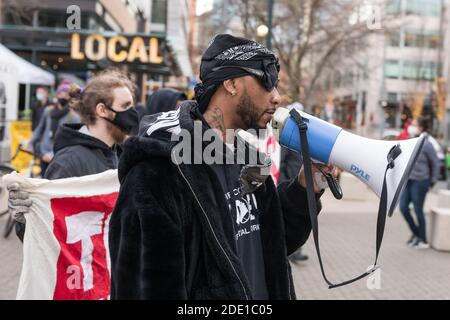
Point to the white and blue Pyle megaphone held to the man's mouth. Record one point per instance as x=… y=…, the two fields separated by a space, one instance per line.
x=364 y=158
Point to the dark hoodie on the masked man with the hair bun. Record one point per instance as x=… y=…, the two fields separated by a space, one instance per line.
x=78 y=154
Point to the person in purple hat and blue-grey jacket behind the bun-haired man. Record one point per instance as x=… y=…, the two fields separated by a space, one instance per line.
x=43 y=137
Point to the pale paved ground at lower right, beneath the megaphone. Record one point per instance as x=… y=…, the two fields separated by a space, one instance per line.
x=347 y=238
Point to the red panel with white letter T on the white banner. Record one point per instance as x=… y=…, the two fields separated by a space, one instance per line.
x=79 y=226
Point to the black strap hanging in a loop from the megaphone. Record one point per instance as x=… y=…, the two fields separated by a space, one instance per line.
x=382 y=209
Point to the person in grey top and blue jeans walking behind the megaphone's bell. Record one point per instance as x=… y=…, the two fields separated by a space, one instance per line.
x=424 y=175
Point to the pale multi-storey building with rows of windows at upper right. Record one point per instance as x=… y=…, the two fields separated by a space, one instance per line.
x=395 y=74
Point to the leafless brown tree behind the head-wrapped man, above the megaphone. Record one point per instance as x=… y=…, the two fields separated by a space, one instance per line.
x=309 y=34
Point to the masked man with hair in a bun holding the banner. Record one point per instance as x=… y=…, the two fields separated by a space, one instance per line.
x=106 y=108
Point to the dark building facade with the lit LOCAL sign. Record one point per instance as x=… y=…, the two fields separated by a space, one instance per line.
x=74 y=39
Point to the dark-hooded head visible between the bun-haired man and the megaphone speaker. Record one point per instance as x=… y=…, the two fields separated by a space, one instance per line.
x=164 y=100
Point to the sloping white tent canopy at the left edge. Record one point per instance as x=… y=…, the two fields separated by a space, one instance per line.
x=27 y=73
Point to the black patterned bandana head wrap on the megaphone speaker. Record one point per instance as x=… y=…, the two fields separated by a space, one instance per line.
x=229 y=57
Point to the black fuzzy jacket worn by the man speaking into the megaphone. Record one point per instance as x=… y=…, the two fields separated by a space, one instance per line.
x=171 y=236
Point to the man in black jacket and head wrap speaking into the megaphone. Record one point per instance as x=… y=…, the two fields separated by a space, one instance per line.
x=199 y=230
